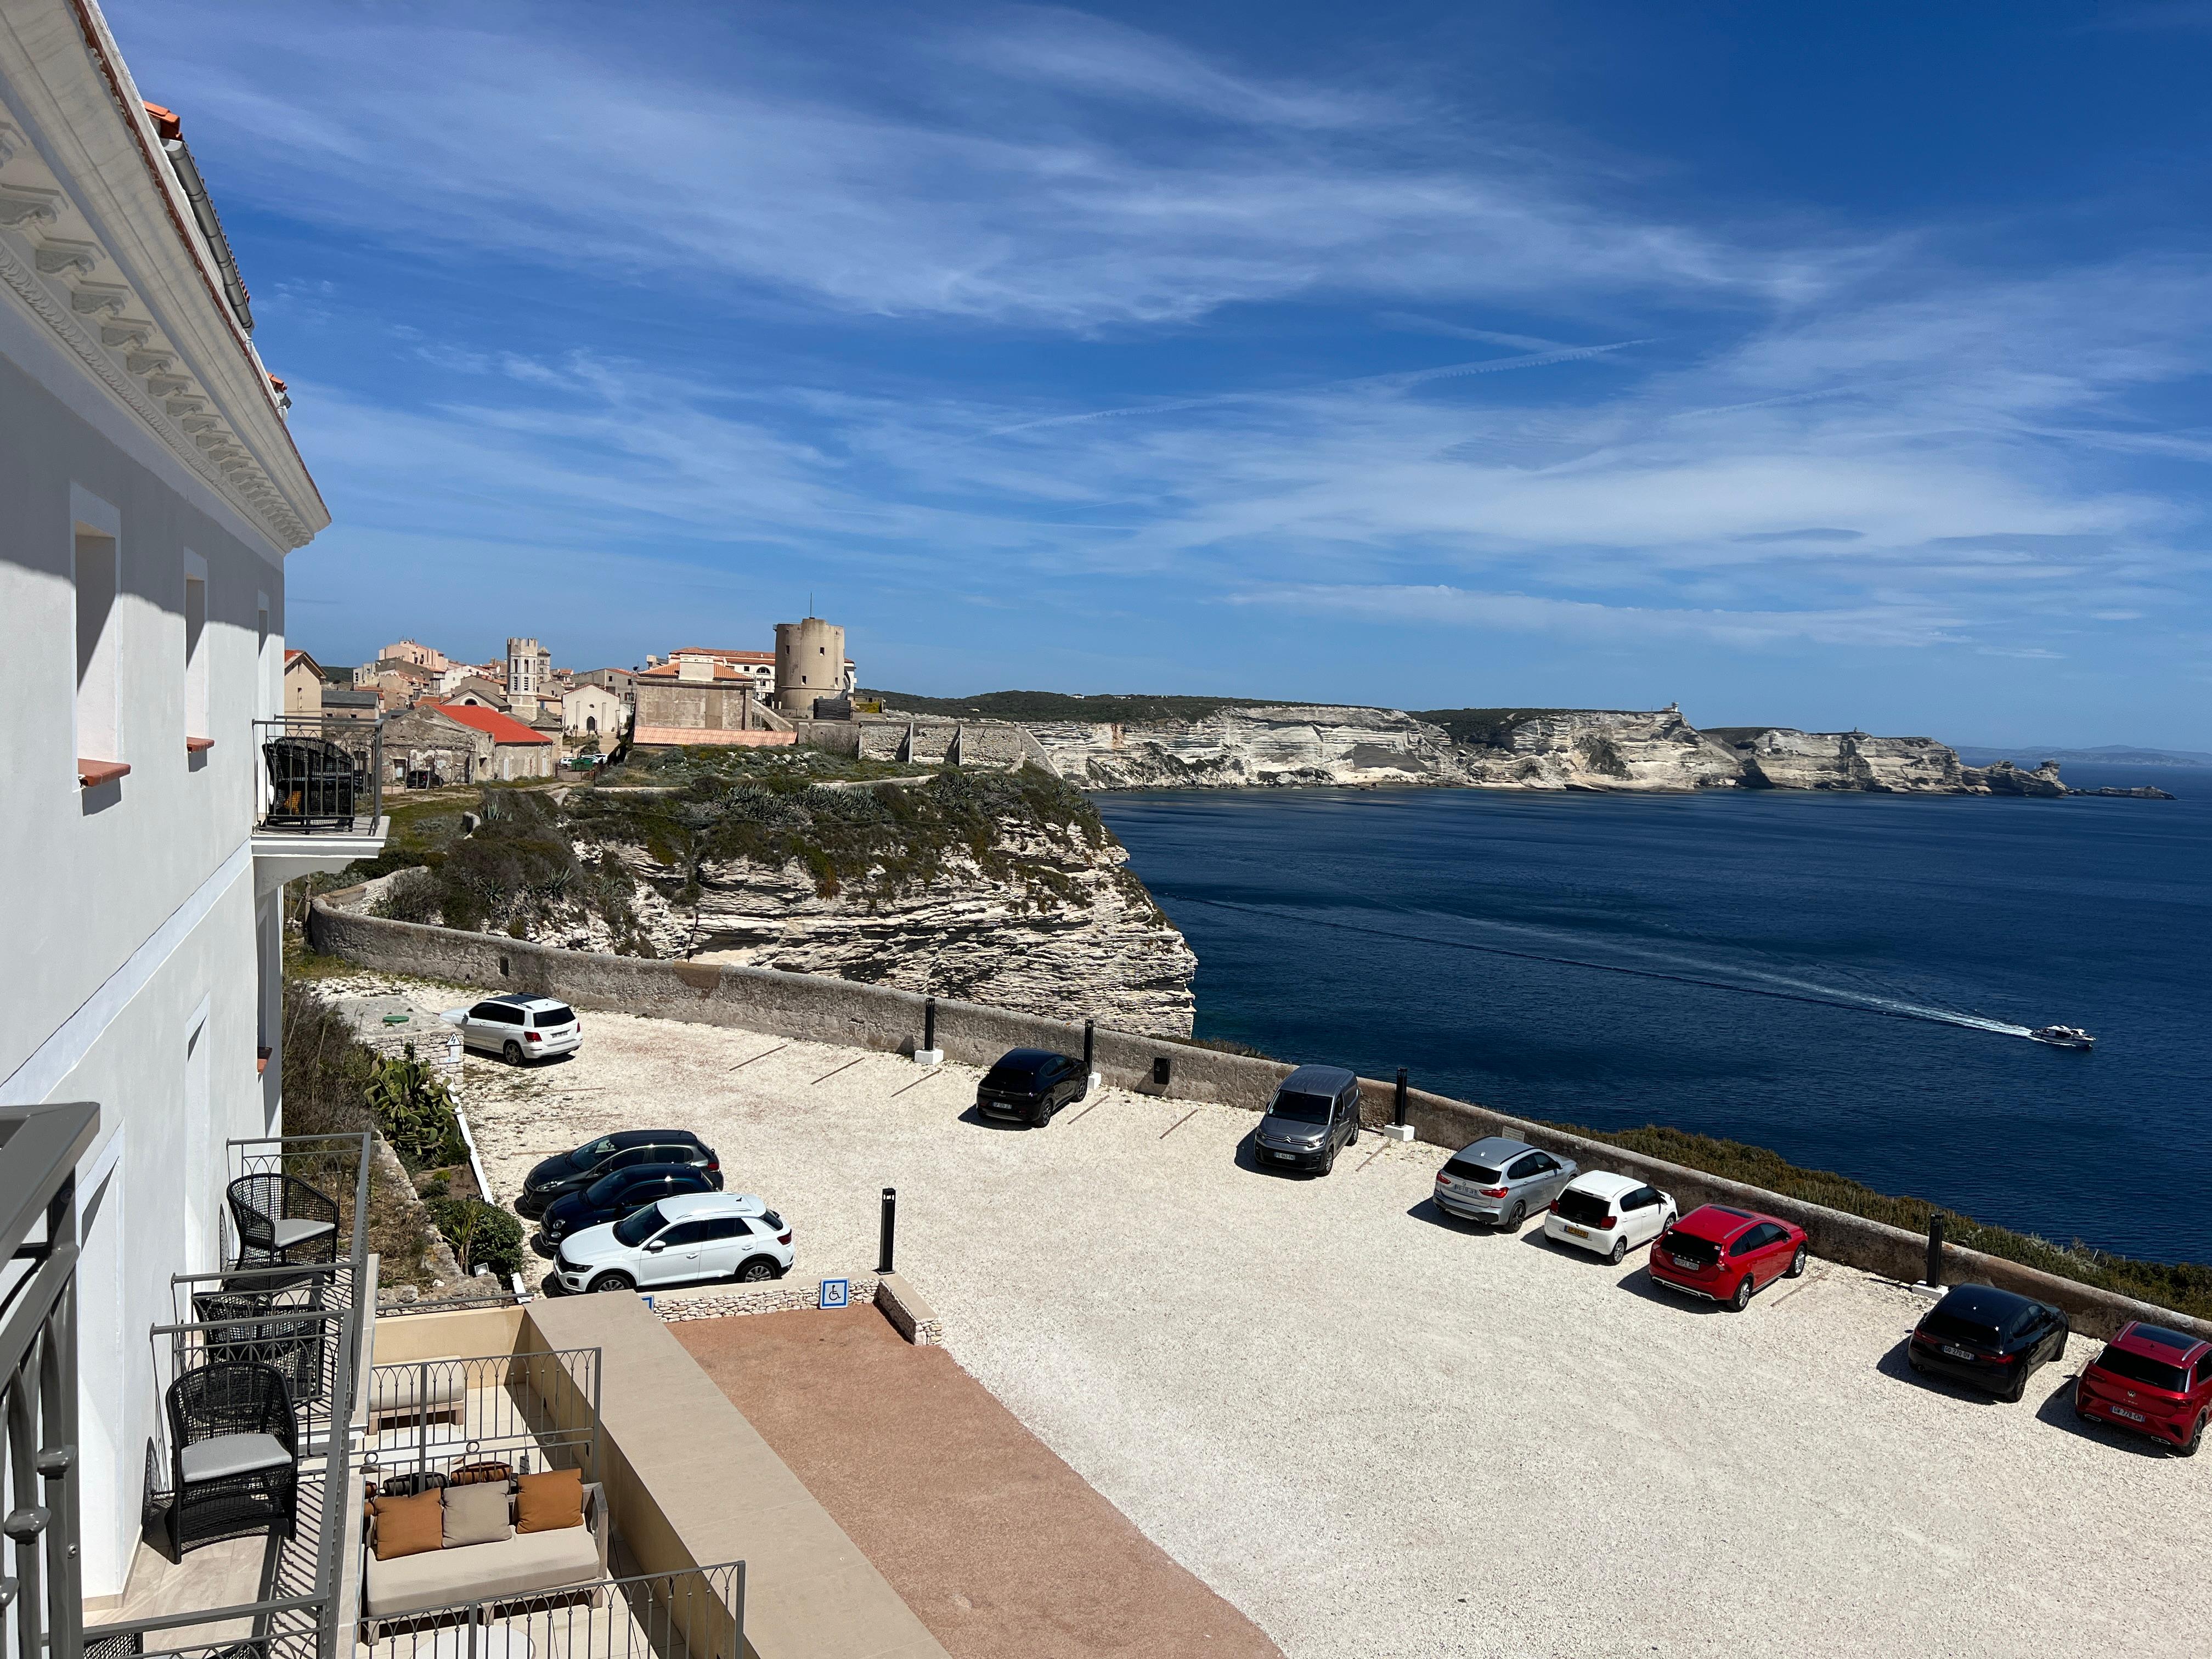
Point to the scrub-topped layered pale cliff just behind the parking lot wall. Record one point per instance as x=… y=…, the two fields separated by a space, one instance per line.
x=999 y=888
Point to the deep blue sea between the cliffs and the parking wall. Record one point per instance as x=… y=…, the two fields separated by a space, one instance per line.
x=1333 y=926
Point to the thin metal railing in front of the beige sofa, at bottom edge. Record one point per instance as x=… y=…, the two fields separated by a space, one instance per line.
x=698 y=1614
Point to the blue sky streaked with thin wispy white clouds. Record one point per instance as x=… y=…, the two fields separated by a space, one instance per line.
x=1817 y=366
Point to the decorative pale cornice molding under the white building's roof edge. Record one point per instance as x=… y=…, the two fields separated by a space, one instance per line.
x=54 y=262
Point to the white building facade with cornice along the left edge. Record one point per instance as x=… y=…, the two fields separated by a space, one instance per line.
x=149 y=494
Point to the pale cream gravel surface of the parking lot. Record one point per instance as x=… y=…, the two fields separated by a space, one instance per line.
x=1384 y=1434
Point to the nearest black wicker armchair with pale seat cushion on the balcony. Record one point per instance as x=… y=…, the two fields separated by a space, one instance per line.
x=233 y=1454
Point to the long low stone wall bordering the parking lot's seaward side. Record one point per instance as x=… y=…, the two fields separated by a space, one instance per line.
x=870 y=1016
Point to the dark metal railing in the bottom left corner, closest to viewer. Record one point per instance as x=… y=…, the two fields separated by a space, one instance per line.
x=41 y=1587
